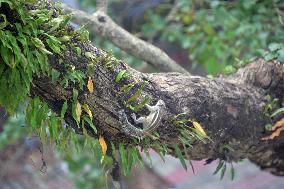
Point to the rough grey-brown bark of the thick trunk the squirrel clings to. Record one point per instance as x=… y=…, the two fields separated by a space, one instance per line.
x=230 y=109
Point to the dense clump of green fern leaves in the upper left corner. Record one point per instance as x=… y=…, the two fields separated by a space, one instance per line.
x=24 y=49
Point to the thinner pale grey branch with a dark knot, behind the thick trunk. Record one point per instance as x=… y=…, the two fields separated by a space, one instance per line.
x=103 y=25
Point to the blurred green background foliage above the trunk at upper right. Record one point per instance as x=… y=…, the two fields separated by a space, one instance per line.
x=217 y=32
